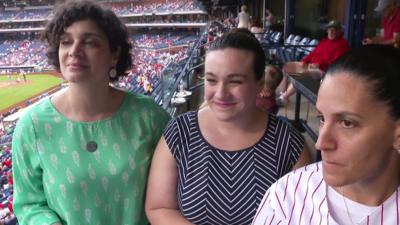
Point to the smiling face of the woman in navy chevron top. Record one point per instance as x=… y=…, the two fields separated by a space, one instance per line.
x=231 y=87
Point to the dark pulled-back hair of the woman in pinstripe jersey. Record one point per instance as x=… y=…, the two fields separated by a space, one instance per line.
x=379 y=66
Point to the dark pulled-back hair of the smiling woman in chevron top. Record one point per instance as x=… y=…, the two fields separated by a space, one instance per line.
x=243 y=39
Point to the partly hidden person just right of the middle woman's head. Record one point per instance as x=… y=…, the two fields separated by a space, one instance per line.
x=266 y=99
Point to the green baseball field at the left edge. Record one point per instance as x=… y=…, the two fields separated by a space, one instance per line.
x=14 y=89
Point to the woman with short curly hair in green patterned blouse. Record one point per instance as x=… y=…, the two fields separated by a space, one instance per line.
x=82 y=155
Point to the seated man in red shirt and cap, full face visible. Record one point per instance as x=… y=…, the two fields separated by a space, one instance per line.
x=324 y=54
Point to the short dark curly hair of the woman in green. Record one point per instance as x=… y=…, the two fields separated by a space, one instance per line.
x=76 y=10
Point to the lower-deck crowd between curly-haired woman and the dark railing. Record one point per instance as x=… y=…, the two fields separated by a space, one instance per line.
x=151 y=55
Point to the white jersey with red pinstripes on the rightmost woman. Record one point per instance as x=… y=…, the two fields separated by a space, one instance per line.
x=300 y=197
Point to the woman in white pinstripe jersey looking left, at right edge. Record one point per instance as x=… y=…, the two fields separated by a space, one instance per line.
x=358 y=180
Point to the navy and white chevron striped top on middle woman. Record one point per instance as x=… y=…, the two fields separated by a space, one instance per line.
x=225 y=187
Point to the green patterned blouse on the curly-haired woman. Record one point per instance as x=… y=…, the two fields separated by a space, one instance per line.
x=85 y=172
